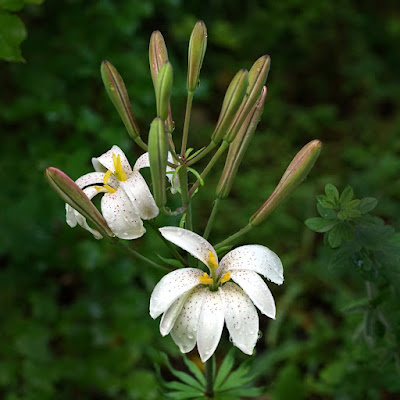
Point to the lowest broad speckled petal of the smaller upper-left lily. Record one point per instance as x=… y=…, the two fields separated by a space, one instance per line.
x=121 y=216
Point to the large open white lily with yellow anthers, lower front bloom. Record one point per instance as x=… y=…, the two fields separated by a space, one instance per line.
x=195 y=304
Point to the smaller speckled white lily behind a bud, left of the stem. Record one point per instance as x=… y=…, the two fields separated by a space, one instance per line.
x=127 y=198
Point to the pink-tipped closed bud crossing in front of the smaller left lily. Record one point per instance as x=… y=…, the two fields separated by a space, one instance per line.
x=72 y=194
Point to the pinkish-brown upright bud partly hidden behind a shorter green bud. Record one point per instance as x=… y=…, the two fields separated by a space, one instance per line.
x=158 y=56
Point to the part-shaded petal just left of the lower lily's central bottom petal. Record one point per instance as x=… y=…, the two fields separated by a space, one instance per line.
x=184 y=332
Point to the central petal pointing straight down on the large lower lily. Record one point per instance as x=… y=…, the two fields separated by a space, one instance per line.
x=211 y=323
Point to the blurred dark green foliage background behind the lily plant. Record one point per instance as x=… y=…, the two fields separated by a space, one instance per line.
x=74 y=311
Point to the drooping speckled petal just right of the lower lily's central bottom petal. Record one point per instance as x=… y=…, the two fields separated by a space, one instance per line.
x=241 y=317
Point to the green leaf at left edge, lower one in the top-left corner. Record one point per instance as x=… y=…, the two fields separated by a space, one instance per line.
x=12 y=33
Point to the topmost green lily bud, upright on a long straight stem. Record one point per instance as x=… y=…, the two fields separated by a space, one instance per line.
x=197 y=49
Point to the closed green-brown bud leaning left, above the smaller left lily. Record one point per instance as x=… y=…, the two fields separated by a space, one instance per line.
x=118 y=94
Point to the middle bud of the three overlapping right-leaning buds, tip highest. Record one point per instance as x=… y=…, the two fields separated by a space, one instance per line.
x=257 y=77
